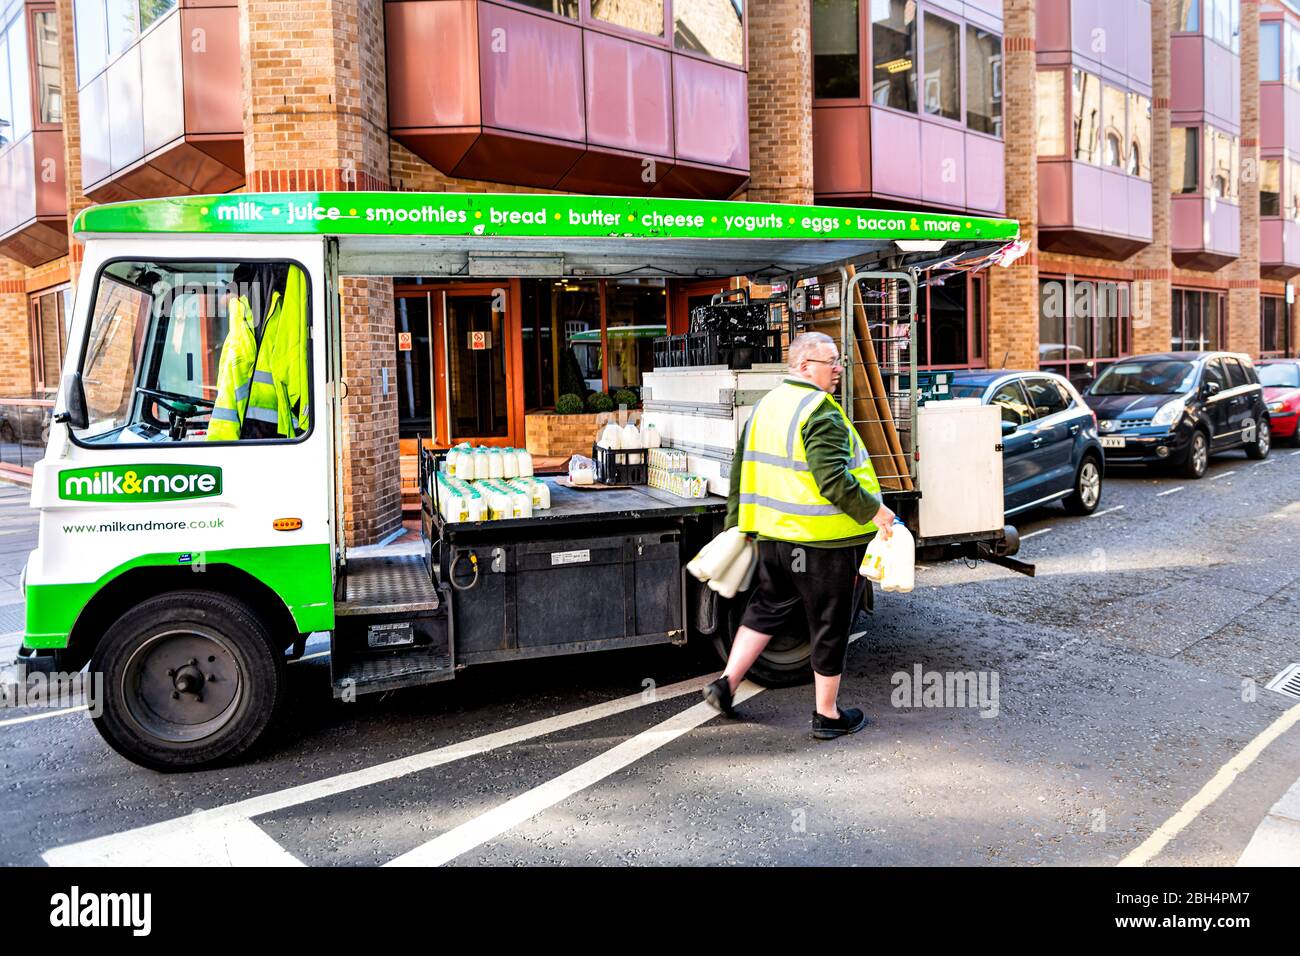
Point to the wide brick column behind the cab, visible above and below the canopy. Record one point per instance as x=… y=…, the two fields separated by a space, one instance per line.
x=315 y=105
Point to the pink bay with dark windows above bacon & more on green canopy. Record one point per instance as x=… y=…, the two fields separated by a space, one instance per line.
x=908 y=105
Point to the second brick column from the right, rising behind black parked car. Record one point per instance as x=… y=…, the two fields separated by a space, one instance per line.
x=1154 y=297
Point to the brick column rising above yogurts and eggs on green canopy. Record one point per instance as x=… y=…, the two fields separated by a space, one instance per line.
x=781 y=102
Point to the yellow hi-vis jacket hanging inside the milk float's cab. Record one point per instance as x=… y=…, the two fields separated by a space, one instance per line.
x=263 y=380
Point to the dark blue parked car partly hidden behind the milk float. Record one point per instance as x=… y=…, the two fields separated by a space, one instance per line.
x=1051 y=449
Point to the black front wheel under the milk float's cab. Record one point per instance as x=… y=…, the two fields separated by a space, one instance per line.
x=162 y=708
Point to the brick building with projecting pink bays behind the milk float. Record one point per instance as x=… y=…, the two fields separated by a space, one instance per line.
x=1151 y=150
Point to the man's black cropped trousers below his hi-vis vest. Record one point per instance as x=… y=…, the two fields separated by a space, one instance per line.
x=813 y=591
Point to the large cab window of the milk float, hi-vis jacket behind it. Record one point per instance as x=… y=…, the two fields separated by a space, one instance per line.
x=197 y=352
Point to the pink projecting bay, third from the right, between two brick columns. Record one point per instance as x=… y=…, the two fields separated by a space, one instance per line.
x=1095 y=144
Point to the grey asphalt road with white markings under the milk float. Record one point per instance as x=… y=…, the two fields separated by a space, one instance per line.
x=1130 y=673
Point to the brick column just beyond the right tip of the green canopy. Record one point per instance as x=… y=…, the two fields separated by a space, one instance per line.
x=1013 y=321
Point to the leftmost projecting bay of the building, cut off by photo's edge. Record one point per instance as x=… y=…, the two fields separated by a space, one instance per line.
x=33 y=196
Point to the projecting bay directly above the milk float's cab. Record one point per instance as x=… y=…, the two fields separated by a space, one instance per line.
x=172 y=122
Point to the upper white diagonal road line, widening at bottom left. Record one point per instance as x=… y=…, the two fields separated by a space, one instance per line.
x=163 y=845
